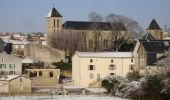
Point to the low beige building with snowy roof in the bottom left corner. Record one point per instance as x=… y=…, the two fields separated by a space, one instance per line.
x=15 y=84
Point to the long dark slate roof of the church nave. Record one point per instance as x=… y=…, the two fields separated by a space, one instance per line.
x=83 y=25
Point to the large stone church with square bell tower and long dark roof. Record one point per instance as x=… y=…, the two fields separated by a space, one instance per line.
x=87 y=36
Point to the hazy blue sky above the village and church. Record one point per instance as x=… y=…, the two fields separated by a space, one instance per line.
x=29 y=15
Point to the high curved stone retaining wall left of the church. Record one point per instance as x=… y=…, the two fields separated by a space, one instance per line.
x=43 y=53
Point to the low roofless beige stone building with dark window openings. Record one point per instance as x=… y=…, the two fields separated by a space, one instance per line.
x=44 y=77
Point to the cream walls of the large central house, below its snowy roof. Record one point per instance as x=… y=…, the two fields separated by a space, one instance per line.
x=81 y=73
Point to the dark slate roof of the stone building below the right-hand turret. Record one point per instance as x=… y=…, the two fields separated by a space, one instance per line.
x=156 y=46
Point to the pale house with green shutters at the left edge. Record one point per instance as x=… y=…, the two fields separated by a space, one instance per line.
x=10 y=64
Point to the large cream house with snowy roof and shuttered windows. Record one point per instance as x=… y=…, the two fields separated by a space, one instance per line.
x=88 y=67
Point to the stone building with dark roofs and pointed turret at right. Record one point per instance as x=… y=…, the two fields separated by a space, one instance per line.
x=150 y=50
